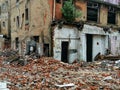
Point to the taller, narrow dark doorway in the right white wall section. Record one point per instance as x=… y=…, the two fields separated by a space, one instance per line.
x=89 y=47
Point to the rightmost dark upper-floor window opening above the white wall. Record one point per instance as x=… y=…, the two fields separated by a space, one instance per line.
x=111 y=15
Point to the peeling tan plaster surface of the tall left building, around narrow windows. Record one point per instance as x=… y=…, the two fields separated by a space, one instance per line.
x=38 y=22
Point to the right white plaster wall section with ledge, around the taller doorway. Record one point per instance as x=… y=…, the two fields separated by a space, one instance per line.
x=99 y=36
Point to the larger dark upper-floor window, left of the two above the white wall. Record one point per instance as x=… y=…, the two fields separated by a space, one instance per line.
x=92 y=11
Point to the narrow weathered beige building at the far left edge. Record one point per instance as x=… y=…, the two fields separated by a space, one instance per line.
x=4 y=24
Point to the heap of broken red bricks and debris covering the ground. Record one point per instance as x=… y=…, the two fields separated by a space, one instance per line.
x=49 y=74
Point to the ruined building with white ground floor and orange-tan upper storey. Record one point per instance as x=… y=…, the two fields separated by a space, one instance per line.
x=97 y=30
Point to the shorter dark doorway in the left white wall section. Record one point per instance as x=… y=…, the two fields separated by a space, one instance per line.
x=64 y=53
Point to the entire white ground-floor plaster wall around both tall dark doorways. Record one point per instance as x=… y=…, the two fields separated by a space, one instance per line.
x=67 y=33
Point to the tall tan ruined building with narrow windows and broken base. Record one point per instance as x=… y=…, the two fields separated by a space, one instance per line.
x=30 y=21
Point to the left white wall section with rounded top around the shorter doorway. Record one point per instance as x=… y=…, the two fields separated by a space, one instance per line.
x=66 y=34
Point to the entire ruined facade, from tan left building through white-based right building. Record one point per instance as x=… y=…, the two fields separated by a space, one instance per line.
x=99 y=31
